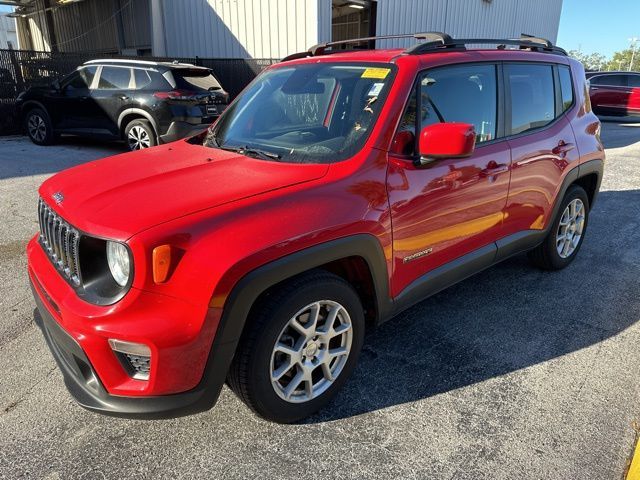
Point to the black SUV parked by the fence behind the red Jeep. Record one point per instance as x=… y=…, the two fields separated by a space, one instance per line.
x=144 y=103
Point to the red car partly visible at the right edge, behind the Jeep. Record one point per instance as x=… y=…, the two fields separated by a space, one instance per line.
x=615 y=93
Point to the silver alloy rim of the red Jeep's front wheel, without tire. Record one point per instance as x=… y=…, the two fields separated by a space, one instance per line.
x=311 y=351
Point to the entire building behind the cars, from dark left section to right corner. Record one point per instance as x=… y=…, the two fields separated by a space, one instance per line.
x=264 y=28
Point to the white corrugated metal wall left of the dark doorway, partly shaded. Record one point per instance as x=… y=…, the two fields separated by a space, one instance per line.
x=242 y=28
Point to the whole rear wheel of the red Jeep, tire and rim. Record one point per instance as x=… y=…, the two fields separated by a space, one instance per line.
x=567 y=232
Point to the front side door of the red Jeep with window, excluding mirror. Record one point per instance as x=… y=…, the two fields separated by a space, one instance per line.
x=456 y=205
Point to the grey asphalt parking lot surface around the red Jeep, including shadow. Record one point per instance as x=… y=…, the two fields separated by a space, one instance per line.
x=514 y=373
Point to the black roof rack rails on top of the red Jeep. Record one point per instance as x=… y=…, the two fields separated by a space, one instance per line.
x=436 y=41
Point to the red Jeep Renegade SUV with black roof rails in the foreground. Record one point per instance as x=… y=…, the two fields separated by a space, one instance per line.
x=340 y=188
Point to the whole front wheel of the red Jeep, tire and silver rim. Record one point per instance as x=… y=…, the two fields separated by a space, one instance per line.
x=301 y=344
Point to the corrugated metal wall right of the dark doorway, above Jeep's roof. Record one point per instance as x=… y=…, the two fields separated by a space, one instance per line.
x=469 y=18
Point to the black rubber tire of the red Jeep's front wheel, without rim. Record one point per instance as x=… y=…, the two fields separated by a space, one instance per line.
x=250 y=373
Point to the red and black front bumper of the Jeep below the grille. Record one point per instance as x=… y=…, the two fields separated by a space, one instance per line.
x=78 y=340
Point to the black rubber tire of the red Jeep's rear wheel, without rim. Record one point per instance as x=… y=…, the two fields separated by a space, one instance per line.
x=546 y=255
